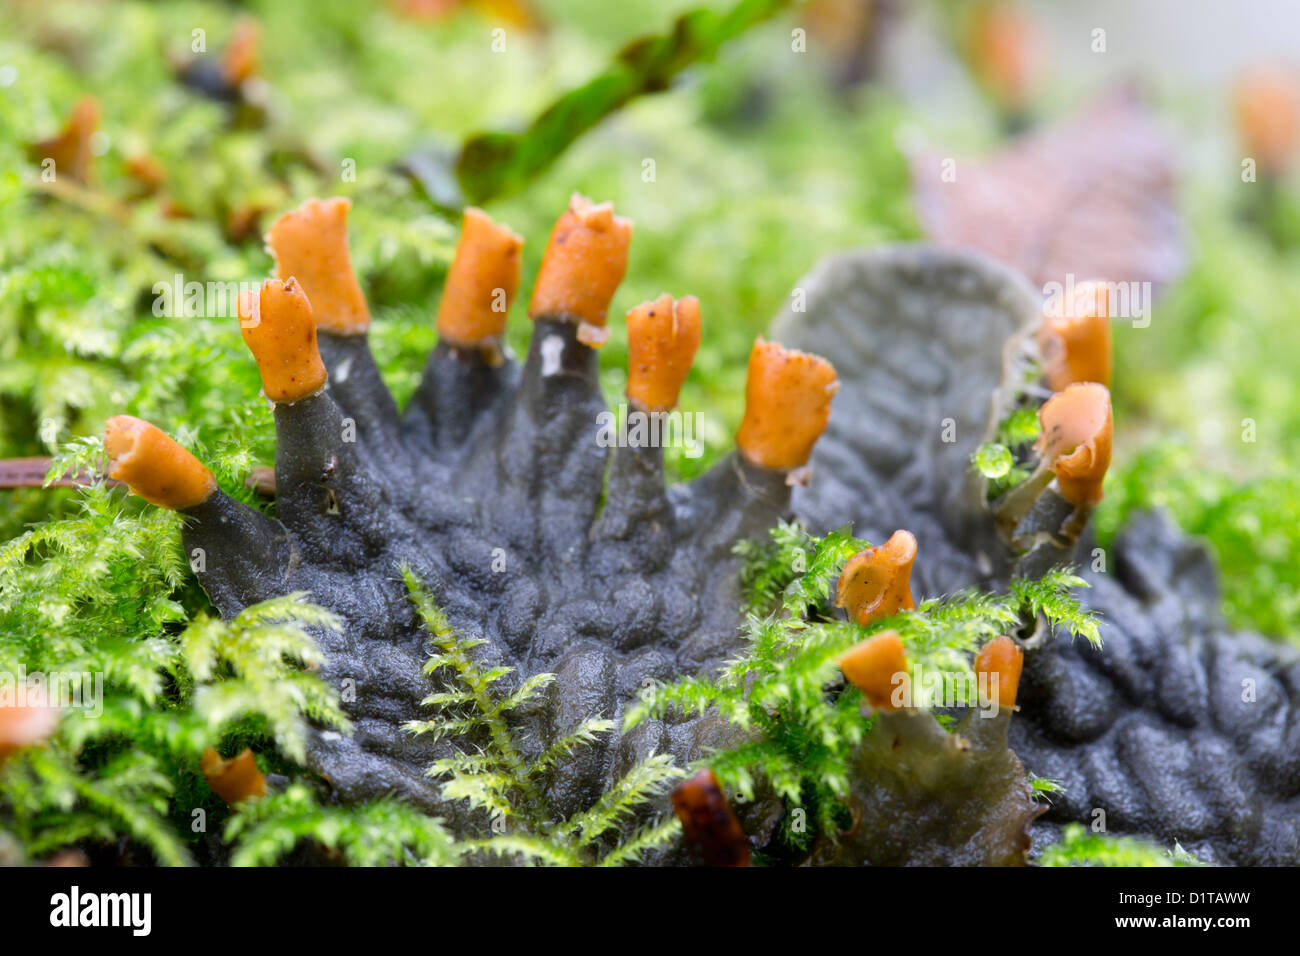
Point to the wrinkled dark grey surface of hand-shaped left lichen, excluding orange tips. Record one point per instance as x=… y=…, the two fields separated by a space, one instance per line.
x=489 y=490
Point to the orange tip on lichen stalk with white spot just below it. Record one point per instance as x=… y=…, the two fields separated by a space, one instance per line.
x=583 y=266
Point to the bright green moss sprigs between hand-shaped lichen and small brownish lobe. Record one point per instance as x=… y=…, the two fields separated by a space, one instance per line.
x=801 y=737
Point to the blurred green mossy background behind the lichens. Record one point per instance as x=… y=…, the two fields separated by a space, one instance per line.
x=765 y=159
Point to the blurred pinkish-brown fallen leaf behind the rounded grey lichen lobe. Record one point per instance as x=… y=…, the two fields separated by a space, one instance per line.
x=1091 y=197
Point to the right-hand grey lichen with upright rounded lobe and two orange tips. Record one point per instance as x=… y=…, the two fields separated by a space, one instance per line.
x=1180 y=729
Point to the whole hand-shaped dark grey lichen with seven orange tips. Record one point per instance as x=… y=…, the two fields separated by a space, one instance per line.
x=491 y=487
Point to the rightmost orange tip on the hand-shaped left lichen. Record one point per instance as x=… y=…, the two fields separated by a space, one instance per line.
x=787 y=405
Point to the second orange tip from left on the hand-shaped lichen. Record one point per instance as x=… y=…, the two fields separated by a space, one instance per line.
x=280 y=331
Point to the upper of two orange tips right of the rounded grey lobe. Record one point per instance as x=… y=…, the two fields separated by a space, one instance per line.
x=1074 y=339
